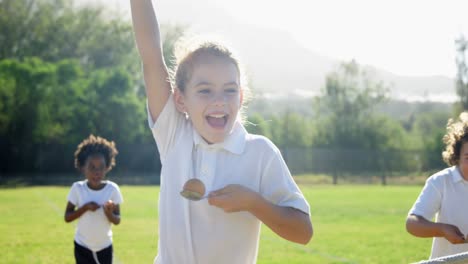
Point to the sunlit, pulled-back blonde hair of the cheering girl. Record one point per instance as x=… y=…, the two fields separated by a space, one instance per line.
x=190 y=51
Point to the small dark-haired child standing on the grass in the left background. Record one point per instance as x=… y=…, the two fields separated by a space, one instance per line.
x=95 y=201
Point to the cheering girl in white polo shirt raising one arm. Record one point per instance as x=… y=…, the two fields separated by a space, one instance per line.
x=196 y=124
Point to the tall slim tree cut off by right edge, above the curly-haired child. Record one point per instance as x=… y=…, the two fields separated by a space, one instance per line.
x=461 y=45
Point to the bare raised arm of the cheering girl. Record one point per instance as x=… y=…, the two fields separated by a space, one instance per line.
x=148 y=40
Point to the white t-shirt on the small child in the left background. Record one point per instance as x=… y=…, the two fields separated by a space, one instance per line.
x=93 y=230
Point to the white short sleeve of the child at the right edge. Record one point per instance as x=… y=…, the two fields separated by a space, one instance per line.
x=429 y=200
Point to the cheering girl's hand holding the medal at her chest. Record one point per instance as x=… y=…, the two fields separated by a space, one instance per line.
x=233 y=198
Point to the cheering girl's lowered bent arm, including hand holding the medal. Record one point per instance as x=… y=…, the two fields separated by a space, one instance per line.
x=289 y=223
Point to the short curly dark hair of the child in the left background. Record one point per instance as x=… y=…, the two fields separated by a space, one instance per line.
x=95 y=145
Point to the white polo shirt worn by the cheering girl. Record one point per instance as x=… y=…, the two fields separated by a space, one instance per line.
x=195 y=232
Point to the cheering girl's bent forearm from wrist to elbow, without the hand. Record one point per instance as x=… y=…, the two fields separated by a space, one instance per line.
x=289 y=223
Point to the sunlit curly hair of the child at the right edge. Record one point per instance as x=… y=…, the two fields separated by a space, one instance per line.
x=457 y=134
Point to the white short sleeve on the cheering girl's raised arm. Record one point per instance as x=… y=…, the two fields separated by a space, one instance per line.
x=166 y=125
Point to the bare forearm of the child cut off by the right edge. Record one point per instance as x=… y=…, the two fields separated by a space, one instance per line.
x=421 y=227
